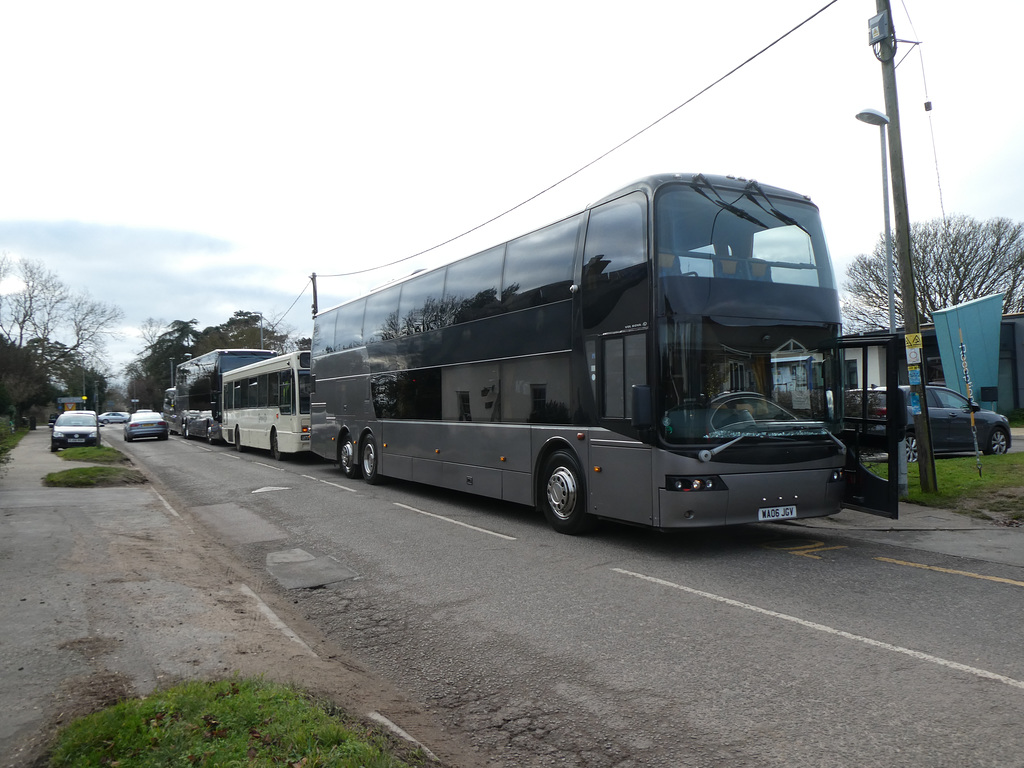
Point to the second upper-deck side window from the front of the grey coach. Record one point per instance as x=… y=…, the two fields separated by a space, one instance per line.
x=539 y=267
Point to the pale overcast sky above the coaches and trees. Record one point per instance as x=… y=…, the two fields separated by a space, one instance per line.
x=190 y=160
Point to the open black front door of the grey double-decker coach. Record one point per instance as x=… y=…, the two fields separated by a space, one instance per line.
x=871 y=428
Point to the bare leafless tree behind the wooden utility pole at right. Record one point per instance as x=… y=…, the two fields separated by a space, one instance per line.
x=956 y=260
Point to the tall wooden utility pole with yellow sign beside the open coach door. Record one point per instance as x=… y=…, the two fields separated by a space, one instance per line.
x=883 y=38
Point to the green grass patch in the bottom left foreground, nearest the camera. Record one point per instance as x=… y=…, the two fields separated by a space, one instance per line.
x=230 y=722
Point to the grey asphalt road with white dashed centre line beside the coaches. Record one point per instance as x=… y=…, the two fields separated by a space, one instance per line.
x=758 y=647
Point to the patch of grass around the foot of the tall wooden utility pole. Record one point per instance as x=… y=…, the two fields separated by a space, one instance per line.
x=1000 y=488
